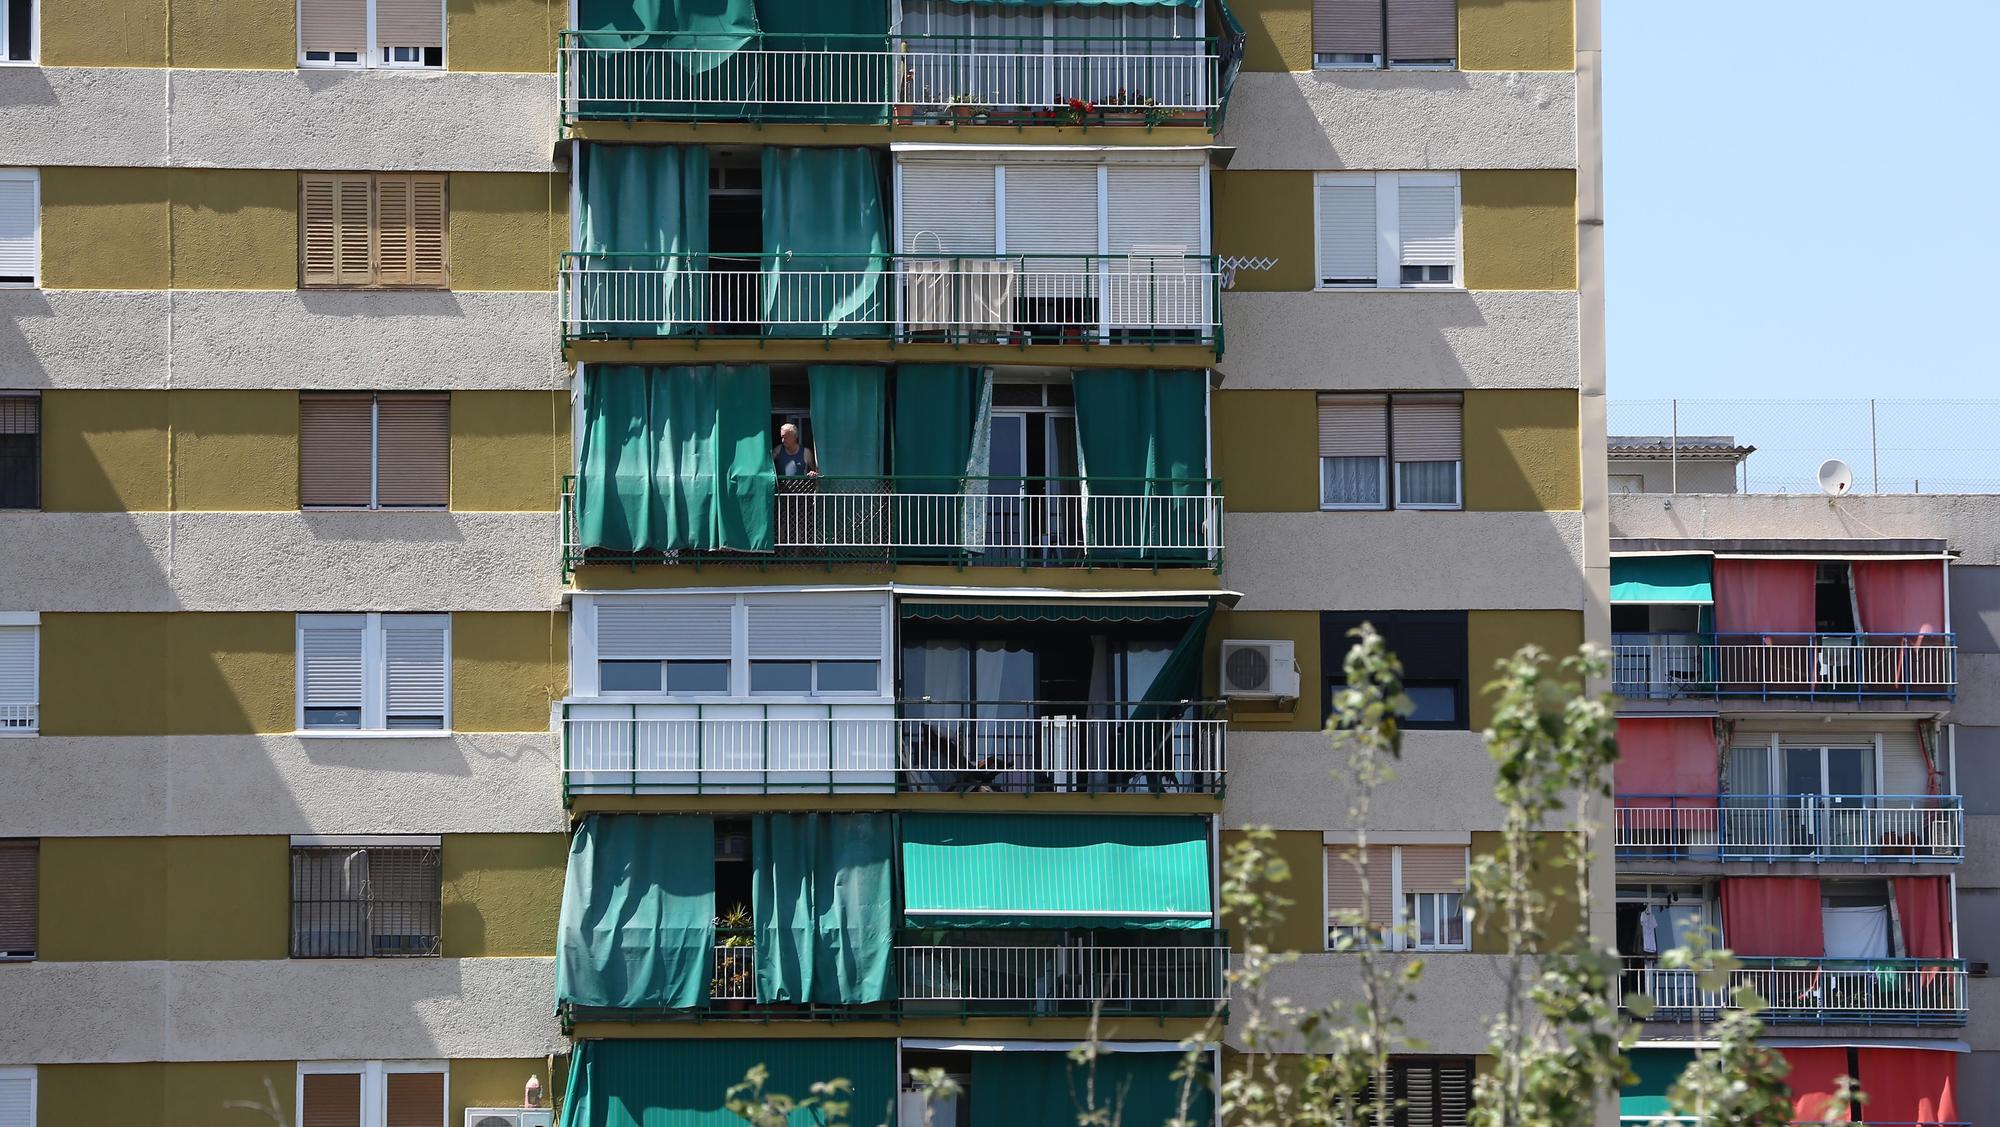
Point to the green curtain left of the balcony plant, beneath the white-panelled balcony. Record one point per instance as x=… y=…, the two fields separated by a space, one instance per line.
x=639 y=912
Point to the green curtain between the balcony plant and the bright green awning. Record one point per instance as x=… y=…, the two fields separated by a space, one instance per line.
x=821 y=894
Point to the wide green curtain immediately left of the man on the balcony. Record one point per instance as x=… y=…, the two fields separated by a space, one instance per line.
x=677 y=459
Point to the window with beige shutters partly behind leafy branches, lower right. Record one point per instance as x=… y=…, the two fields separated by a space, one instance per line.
x=1415 y=898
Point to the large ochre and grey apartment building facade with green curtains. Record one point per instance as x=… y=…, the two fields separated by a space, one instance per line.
x=635 y=543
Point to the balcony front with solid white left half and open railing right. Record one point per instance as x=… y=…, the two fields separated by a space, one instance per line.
x=713 y=750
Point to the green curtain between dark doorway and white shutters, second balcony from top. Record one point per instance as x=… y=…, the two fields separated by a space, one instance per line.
x=825 y=243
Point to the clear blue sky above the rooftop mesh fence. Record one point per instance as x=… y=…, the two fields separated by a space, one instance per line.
x=1801 y=199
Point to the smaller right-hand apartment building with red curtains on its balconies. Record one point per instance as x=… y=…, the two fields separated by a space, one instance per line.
x=1803 y=782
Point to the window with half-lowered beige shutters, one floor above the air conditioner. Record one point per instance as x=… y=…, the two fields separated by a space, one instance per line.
x=1365 y=437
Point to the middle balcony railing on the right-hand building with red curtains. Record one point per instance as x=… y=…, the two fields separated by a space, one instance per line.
x=1923 y=830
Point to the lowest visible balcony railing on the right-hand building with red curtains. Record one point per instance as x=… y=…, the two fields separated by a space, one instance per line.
x=1815 y=992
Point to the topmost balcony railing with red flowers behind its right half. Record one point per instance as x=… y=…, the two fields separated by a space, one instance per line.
x=945 y=81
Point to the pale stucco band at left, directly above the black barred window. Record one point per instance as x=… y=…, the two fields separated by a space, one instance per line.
x=73 y=786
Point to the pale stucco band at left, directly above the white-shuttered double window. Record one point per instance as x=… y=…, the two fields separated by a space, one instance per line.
x=321 y=561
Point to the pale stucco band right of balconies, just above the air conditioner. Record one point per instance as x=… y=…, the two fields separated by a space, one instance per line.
x=1405 y=561
